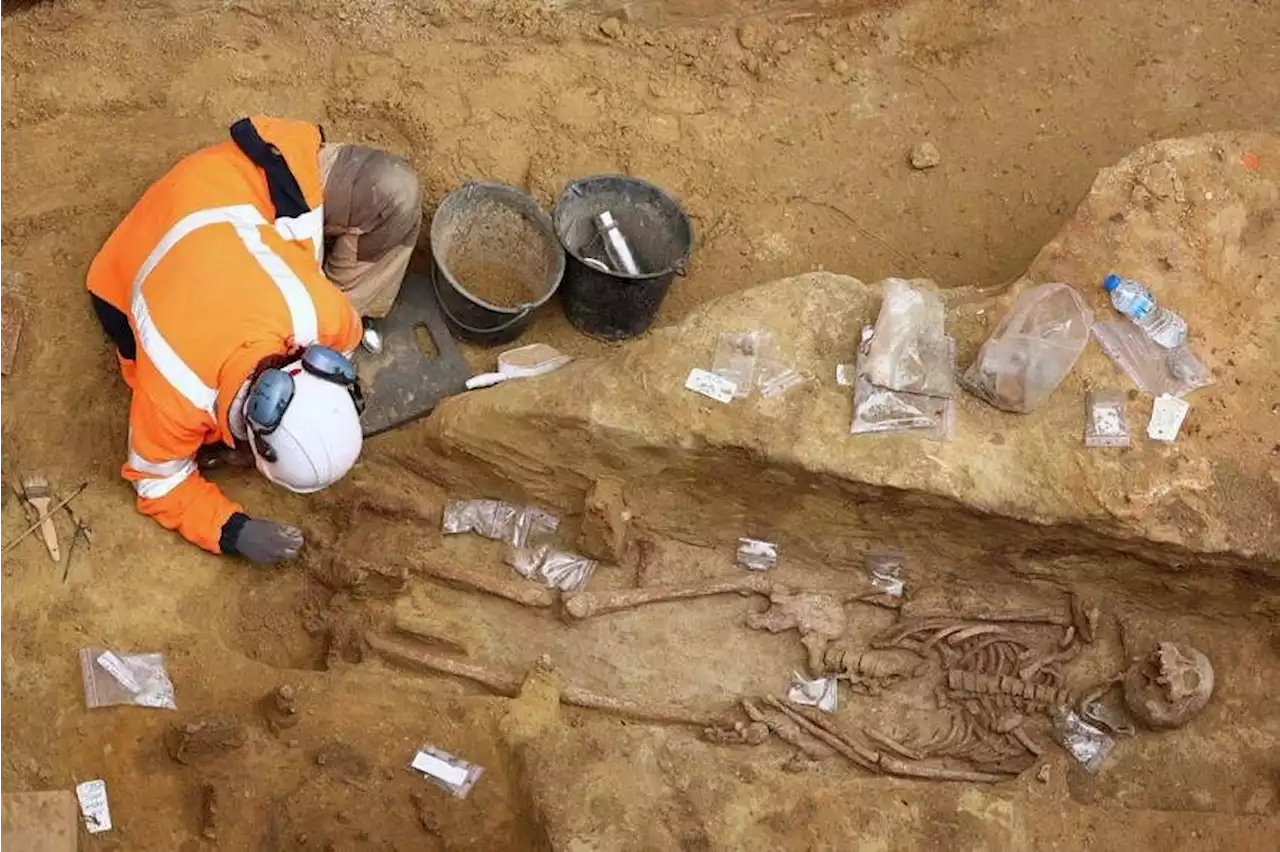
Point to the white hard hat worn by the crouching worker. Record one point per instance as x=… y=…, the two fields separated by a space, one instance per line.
x=318 y=439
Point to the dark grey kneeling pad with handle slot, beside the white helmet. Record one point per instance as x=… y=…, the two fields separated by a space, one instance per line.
x=403 y=383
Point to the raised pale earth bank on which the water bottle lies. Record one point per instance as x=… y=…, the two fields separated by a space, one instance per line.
x=1009 y=487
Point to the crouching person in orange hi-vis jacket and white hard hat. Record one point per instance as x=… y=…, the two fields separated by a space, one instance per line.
x=235 y=292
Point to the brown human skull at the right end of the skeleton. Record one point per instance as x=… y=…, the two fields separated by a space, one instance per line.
x=1171 y=686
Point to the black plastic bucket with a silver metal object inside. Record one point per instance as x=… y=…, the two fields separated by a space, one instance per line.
x=611 y=305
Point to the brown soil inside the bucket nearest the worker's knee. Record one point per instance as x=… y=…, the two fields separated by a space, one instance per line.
x=500 y=256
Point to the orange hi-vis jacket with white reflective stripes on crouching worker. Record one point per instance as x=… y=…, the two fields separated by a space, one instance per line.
x=214 y=280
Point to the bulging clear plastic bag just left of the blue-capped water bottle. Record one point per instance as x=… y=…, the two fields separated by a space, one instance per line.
x=1035 y=347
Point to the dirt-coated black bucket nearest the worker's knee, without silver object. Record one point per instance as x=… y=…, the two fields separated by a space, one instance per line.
x=490 y=240
